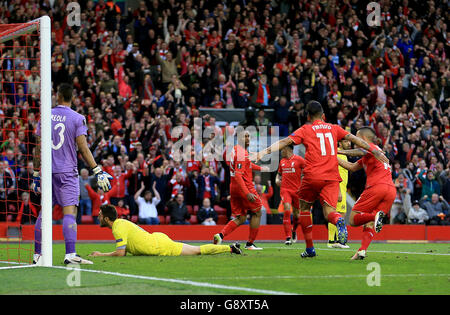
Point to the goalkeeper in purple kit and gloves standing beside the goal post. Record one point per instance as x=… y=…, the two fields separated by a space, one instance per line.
x=69 y=132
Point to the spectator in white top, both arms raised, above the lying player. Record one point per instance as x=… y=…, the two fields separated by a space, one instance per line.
x=147 y=205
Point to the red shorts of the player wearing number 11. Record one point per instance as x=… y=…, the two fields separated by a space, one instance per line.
x=324 y=190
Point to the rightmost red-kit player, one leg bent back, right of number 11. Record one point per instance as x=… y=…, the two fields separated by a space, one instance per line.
x=378 y=195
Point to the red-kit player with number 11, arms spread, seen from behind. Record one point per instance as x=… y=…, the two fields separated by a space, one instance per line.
x=321 y=175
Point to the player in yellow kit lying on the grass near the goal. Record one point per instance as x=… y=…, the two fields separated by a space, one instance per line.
x=135 y=240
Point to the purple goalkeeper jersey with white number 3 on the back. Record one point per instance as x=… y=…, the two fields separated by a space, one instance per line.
x=67 y=125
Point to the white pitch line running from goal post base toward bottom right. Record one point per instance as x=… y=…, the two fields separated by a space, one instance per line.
x=185 y=282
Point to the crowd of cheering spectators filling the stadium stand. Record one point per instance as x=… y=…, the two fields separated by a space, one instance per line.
x=139 y=72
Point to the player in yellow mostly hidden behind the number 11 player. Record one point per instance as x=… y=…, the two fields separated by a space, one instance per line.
x=341 y=206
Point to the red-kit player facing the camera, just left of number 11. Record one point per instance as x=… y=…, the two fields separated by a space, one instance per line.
x=289 y=178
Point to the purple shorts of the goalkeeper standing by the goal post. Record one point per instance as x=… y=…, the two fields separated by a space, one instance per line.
x=66 y=189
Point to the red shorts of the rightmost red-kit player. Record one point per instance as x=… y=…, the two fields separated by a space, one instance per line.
x=379 y=197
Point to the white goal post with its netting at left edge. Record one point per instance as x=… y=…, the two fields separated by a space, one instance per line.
x=16 y=96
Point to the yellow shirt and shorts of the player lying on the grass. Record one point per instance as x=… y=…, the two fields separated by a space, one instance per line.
x=135 y=240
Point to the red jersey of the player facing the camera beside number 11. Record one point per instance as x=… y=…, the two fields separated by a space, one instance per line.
x=291 y=172
